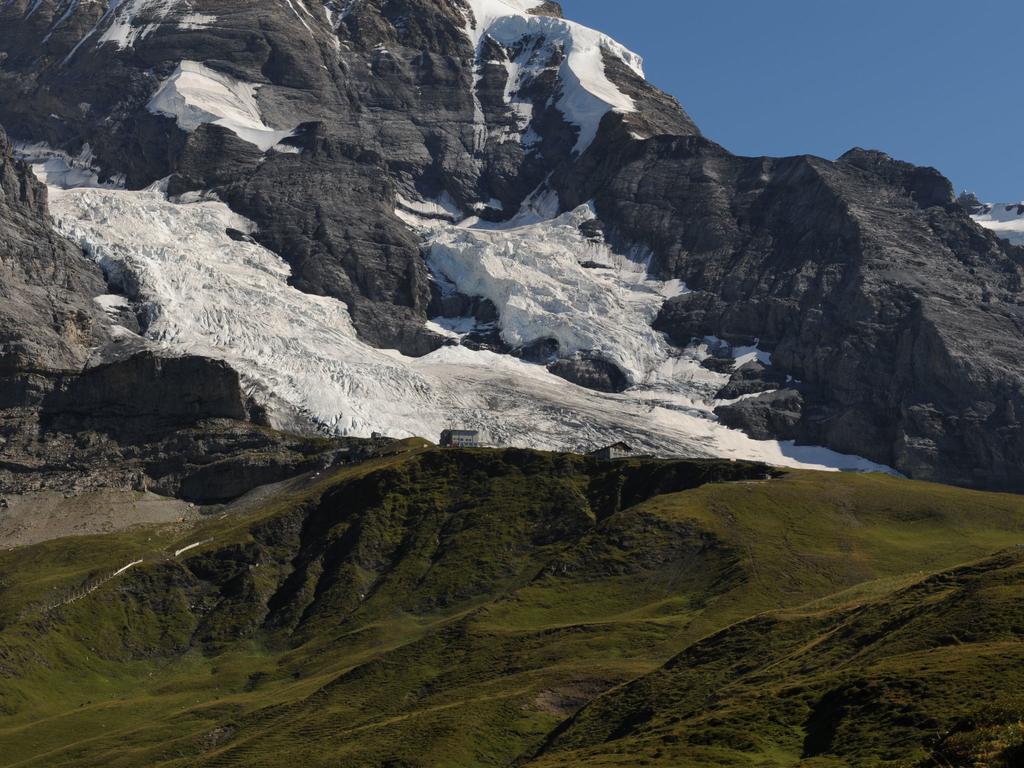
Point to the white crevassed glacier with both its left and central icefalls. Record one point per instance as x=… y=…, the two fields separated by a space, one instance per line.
x=208 y=294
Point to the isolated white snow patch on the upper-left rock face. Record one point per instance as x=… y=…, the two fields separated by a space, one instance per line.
x=196 y=95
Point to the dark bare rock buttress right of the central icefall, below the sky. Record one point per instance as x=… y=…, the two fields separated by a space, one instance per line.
x=865 y=279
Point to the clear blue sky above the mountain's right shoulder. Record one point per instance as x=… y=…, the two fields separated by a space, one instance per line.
x=934 y=82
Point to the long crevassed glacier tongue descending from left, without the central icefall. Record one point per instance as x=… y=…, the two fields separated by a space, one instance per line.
x=208 y=294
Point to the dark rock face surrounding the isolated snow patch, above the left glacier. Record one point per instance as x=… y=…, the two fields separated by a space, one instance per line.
x=389 y=99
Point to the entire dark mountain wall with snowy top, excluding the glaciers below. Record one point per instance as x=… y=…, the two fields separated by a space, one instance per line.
x=895 y=320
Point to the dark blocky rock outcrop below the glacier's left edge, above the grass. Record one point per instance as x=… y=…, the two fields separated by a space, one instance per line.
x=179 y=426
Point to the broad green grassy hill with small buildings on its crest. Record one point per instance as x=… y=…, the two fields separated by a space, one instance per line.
x=459 y=609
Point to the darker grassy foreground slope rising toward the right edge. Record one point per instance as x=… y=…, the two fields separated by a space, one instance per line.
x=930 y=675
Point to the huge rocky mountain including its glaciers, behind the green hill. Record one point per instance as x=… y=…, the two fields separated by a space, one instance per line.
x=497 y=194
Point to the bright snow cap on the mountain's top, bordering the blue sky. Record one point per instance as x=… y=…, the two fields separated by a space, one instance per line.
x=587 y=94
